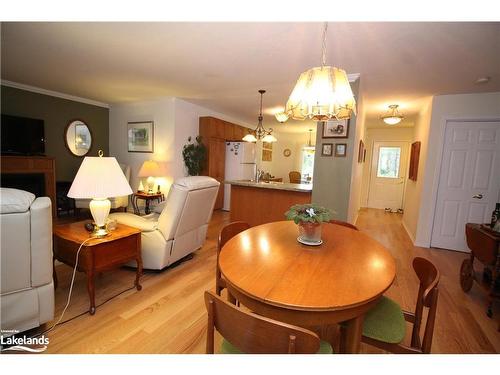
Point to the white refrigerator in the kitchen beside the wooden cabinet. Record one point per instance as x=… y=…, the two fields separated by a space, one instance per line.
x=240 y=165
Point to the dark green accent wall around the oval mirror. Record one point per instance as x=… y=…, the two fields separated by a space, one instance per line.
x=57 y=113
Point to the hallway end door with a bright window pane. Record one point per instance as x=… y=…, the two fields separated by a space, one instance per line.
x=388 y=174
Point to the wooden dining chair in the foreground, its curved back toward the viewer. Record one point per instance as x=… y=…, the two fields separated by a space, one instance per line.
x=248 y=333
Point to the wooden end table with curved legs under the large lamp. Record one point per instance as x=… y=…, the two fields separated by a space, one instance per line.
x=98 y=254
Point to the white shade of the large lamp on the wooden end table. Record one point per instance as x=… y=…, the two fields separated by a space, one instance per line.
x=99 y=177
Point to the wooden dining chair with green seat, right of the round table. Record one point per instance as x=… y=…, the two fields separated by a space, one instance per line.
x=384 y=326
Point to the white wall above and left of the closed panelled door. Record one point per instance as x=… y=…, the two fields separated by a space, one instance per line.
x=484 y=106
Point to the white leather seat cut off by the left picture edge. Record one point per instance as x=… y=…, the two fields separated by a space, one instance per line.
x=27 y=289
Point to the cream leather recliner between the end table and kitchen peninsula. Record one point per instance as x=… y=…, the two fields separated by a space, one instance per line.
x=178 y=226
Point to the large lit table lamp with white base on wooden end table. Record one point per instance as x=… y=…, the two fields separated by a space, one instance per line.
x=98 y=179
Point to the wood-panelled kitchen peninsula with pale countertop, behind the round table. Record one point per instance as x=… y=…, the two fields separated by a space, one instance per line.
x=265 y=202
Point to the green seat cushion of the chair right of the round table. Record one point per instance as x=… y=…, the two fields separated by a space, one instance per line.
x=385 y=322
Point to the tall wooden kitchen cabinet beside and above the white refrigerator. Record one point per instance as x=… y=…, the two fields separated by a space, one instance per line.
x=214 y=133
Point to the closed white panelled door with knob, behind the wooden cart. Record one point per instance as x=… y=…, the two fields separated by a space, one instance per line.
x=469 y=181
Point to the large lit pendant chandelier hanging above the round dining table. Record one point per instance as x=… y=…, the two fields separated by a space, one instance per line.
x=321 y=93
